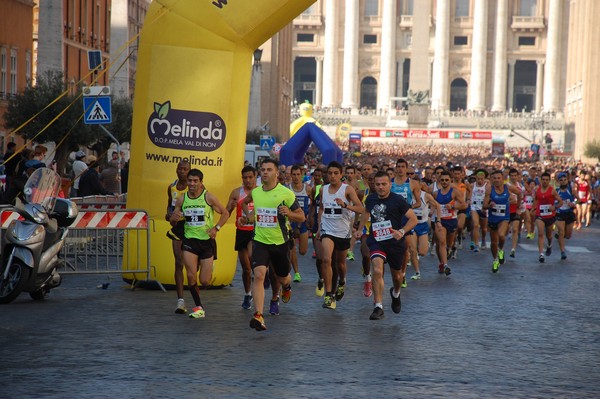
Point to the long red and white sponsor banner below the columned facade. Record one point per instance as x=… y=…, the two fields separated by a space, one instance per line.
x=427 y=134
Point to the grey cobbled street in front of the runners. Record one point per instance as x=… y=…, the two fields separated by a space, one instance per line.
x=531 y=331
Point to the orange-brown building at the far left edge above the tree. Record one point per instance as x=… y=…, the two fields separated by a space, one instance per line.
x=16 y=54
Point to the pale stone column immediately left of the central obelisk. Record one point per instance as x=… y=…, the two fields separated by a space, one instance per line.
x=388 y=54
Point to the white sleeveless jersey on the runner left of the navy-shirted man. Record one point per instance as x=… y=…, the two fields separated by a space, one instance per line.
x=335 y=220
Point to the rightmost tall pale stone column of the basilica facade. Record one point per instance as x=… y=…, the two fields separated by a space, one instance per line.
x=552 y=80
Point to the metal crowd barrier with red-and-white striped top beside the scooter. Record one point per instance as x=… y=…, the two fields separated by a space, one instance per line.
x=96 y=243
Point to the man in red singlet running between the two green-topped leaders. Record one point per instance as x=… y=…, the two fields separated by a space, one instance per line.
x=243 y=232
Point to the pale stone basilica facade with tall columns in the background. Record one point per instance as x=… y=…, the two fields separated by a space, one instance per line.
x=481 y=55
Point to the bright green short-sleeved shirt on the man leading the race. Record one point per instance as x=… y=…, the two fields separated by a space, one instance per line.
x=271 y=227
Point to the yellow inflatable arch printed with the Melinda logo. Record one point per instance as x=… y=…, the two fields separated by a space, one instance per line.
x=191 y=101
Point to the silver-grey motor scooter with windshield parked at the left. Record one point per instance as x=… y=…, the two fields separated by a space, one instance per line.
x=31 y=244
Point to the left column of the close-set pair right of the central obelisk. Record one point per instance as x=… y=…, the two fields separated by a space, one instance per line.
x=479 y=55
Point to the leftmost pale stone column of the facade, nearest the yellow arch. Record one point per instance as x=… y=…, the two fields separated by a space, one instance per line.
x=330 y=53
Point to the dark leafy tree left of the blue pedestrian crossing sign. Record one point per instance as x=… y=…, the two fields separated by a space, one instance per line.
x=44 y=128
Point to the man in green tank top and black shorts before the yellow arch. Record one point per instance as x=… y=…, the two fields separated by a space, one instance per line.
x=199 y=246
